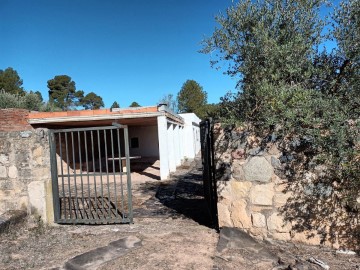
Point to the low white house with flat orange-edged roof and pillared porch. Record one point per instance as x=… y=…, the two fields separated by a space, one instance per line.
x=154 y=131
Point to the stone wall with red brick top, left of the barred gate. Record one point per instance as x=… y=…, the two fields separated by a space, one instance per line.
x=25 y=177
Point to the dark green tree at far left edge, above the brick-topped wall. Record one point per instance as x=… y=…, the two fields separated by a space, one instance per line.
x=10 y=82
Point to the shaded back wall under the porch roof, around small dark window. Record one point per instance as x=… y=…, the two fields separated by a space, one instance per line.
x=148 y=141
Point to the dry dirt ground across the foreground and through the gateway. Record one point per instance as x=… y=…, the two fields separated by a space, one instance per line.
x=174 y=227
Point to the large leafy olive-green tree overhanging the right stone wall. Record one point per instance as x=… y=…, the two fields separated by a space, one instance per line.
x=308 y=101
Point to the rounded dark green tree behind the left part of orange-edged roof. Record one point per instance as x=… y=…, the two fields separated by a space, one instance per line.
x=62 y=92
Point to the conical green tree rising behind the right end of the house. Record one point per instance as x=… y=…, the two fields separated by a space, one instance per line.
x=192 y=99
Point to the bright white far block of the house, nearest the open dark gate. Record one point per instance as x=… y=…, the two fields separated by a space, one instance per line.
x=191 y=135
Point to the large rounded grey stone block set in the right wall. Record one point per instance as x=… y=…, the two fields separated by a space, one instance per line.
x=258 y=169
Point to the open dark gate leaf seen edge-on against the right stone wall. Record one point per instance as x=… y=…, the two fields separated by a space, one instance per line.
x=209 y=181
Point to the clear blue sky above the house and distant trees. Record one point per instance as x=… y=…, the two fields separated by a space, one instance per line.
x=122 y=50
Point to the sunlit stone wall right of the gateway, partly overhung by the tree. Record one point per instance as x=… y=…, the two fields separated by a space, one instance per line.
x=251 y=195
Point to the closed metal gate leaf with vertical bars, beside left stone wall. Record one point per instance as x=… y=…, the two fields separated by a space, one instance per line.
x=90 y=170
